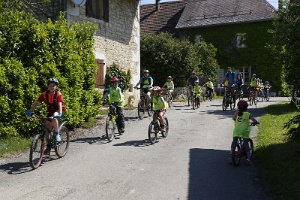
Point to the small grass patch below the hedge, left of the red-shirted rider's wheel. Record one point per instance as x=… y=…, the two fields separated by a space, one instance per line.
x=13 y=145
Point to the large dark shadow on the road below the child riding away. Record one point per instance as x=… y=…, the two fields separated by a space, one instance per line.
x=212 y=177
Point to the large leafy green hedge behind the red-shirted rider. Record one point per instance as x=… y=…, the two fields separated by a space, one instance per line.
x=33 y=51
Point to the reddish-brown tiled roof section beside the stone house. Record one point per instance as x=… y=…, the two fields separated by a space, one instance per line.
x=163 y=20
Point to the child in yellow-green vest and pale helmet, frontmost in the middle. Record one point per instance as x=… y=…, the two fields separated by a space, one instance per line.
x=159 y=106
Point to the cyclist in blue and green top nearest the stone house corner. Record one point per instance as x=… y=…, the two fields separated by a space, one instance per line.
x=146 y=83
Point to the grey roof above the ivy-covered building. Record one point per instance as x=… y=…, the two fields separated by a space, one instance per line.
x=200 y=13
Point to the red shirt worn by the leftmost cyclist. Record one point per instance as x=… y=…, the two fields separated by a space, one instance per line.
x=52 y=108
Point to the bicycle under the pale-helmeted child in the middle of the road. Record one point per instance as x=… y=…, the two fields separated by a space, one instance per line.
x=155 y=127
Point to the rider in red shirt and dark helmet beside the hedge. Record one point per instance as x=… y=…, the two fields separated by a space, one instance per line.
x=54 y=100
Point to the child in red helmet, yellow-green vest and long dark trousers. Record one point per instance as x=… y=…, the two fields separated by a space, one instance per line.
x=115 y=96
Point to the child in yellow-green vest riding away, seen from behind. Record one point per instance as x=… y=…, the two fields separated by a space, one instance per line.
x=242 y=127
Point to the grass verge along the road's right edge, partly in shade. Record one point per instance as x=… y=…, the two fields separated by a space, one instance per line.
x=279 y=152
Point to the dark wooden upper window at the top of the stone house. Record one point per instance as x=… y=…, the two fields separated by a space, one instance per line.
x=98 y=9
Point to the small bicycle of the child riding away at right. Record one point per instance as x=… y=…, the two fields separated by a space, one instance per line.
x=239 y=151
